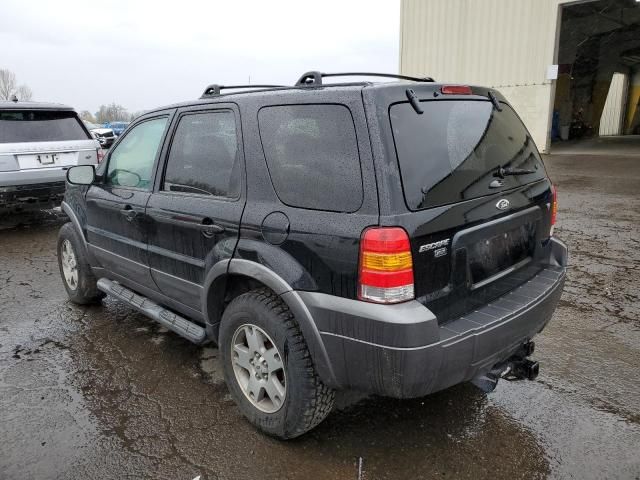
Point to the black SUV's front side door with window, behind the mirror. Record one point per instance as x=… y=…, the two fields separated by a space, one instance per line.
x=116 y=221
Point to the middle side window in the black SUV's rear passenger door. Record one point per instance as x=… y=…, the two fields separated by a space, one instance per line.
x=204 y=156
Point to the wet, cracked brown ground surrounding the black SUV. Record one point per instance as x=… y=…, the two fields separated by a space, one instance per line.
x=102 y=392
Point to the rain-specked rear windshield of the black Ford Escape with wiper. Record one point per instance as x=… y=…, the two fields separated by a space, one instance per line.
x=453 y=151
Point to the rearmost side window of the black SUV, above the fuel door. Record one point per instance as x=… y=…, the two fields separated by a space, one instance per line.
x=312 y=155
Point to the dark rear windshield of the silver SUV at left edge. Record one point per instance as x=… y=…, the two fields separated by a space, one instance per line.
x=39 y=126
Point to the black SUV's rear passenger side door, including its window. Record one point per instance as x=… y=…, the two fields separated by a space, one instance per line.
x=196 y=209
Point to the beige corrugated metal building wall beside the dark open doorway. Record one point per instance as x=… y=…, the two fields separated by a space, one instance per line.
x=506 y=44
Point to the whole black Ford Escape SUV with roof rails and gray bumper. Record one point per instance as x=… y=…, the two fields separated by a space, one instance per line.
x=393 y=238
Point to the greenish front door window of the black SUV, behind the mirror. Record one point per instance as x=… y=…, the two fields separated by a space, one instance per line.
x=131 y=163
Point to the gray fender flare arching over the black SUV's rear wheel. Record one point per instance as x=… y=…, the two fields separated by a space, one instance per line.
x=289 y=296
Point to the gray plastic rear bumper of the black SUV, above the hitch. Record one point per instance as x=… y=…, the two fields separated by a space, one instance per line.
x=401 y=351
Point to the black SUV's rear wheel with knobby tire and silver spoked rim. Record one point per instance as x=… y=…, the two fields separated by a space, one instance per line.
x=307 y=401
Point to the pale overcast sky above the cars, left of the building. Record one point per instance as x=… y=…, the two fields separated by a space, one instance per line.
x=142 y=54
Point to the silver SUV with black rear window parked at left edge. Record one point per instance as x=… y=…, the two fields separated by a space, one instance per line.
x=38 y=142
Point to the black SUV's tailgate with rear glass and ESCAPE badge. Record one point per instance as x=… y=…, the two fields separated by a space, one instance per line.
x=477 y=197
